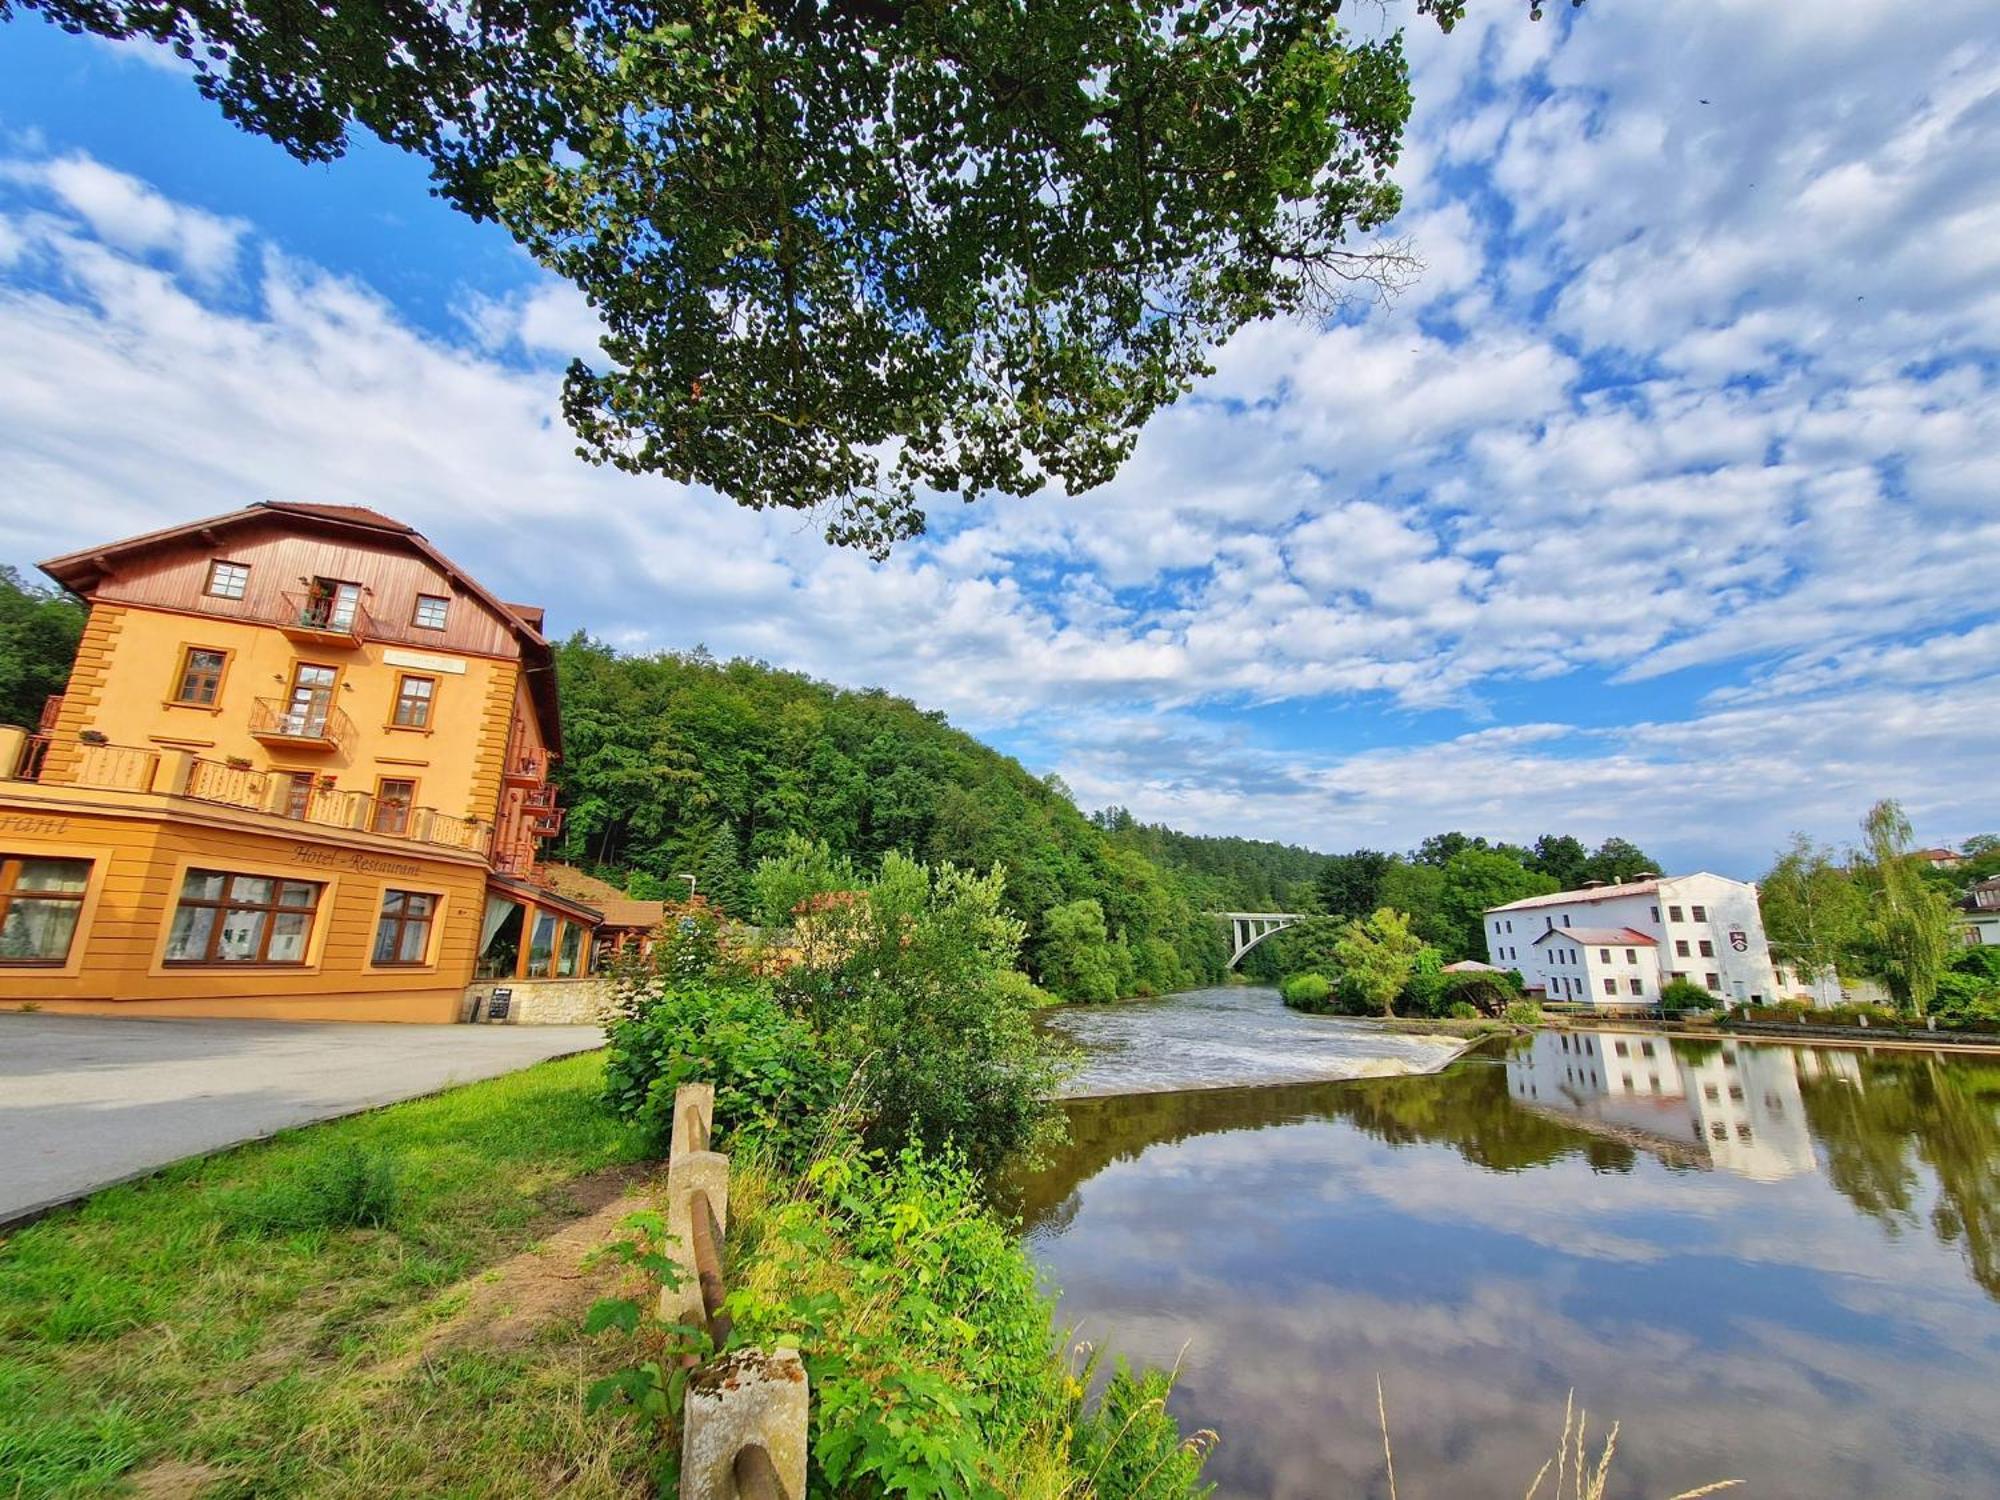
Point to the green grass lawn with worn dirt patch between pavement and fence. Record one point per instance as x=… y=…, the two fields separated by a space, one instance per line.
x=199 y=1335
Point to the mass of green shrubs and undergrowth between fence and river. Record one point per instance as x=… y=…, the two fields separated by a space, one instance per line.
x=869 y=1091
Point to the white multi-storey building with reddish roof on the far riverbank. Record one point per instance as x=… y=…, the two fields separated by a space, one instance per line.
x=1615 y=947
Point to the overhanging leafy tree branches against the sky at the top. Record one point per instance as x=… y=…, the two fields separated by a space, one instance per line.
x=851 y=251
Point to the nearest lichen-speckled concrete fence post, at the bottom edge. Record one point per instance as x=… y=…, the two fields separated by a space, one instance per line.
x=741 y=1399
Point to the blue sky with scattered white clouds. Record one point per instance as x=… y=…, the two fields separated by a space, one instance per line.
x=1663 y=505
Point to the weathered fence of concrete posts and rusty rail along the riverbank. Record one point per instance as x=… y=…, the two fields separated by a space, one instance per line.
x=743 y=1431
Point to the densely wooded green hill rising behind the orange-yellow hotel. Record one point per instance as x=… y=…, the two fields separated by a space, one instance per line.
x=681 y=763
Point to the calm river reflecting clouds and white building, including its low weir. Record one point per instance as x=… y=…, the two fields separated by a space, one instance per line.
x=1769 y=1263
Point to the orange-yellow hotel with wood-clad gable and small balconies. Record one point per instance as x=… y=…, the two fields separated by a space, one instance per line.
x=301 y=769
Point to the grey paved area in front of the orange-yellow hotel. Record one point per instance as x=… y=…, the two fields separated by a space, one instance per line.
x=91 y=1101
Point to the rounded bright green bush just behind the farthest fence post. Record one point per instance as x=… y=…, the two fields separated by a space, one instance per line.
x=771 y=1075
